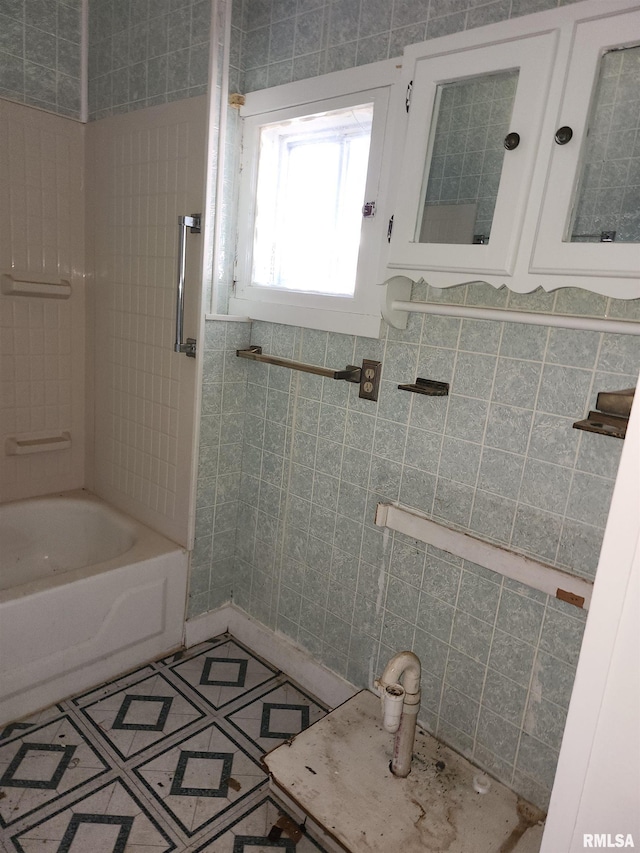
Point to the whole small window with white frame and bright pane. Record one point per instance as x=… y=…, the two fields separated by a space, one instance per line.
x=307 y=255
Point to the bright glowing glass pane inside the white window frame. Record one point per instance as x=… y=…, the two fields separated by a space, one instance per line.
x=311 y=183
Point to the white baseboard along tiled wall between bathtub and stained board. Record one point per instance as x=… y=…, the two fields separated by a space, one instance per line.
x=328 y=686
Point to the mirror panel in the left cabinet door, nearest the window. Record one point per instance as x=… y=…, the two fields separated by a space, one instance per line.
x=468 y=141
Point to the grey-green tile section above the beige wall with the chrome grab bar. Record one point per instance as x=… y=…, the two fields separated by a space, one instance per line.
x=146 y=53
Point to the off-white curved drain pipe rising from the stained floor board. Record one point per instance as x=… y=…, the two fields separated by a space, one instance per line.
x=405 y=666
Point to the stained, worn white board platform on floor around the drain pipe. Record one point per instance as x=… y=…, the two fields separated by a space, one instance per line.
x=337 y=771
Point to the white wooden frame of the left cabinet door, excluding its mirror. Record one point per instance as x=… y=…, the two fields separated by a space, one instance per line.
x=533 y=58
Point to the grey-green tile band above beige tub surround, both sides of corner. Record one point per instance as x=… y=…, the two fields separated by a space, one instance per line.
x=140 y=53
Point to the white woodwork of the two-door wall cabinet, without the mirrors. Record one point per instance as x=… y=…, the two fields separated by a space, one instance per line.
x=526 y=249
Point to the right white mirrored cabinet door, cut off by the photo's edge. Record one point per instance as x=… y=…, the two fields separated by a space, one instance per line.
x=590 y=219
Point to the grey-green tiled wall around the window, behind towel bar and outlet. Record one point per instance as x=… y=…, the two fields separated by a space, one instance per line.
x=498 y=458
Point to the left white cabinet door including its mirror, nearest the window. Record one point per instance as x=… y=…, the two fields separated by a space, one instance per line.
x=472 y=139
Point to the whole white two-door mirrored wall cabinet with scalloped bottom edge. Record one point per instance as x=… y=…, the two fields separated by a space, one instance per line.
x=521 y=162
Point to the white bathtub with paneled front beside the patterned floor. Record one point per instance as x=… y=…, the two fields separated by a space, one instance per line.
x=85 y=594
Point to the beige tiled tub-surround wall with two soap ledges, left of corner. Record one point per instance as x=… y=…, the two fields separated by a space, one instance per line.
x=41 y=339
